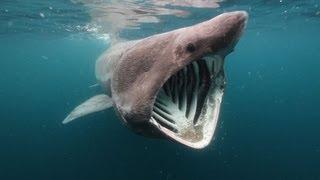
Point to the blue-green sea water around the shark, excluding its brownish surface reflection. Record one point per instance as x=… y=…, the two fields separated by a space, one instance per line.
x=269 y=127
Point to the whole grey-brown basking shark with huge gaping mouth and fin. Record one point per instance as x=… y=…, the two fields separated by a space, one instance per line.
x=169 y=85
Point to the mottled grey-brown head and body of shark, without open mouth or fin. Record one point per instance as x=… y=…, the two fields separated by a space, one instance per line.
x=139 y=68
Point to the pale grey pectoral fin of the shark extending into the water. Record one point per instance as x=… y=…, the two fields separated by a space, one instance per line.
x=96 y=103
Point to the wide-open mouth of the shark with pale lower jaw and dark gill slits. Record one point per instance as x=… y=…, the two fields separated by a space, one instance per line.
x=187 y=106
